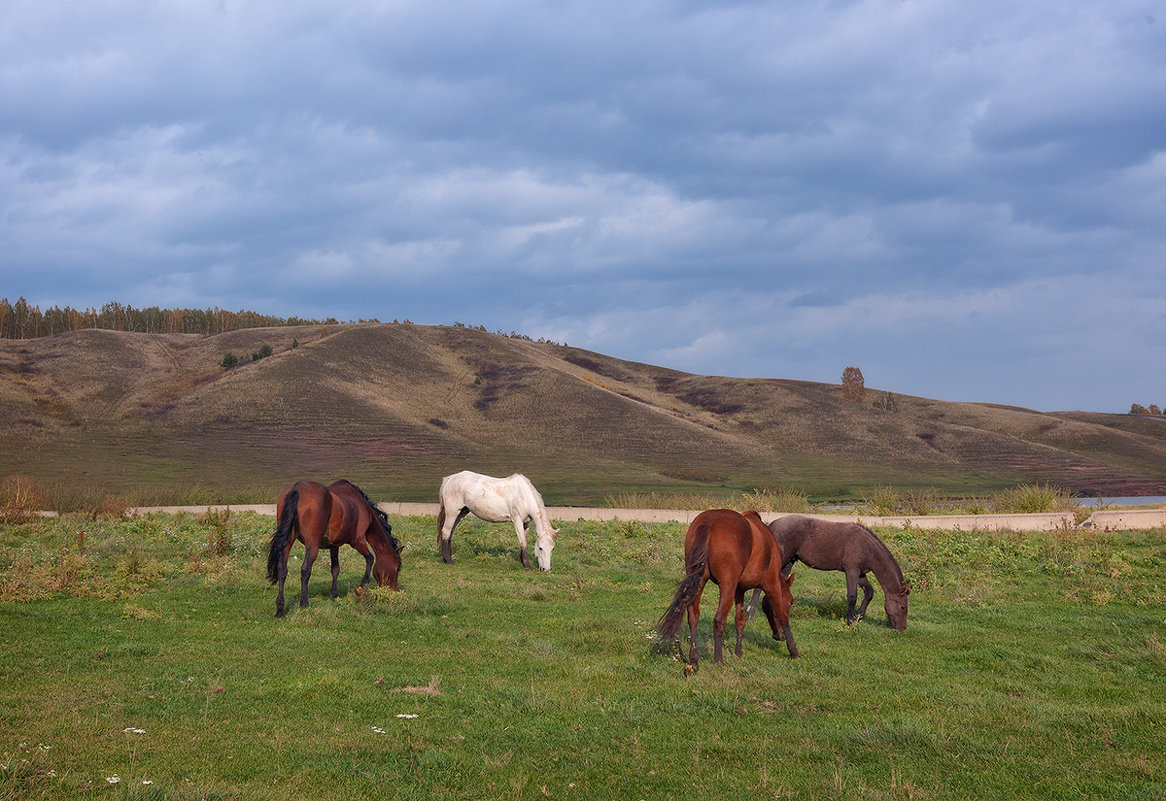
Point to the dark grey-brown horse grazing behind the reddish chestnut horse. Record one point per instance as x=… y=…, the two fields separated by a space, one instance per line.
x=854 y=550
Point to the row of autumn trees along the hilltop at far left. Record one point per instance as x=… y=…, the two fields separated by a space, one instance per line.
x=25 y=321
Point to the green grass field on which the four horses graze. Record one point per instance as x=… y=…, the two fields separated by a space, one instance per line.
x=139 y=659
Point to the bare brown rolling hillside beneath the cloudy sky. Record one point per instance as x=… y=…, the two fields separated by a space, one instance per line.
x=398 y=406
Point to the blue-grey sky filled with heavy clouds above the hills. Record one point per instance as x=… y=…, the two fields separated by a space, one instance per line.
x=965 y=200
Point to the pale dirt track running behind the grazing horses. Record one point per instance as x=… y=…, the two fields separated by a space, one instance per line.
x=1100 y=521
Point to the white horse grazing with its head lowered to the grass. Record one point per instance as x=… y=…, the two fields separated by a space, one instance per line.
x=496 y=501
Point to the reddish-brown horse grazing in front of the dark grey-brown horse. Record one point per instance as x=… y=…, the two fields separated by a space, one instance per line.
x=736 y=552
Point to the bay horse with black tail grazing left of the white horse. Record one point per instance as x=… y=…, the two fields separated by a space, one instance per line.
x=329 y=518
